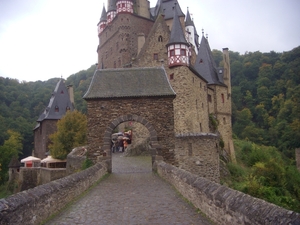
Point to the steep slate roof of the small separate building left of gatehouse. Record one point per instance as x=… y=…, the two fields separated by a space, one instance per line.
x=60 y=98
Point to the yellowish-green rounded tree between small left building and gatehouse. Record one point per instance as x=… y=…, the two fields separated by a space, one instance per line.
x=71 y=133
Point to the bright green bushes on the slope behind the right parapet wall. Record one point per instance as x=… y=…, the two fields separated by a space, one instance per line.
x=263 y=172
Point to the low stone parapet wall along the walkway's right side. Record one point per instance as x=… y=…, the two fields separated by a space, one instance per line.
x=222 y=204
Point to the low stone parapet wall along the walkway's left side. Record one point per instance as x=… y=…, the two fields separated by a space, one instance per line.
x=36 y=204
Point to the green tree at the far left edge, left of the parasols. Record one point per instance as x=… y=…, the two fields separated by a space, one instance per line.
x=11 y=148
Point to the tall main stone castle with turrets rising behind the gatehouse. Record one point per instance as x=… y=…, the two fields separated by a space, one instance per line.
x=131 y=34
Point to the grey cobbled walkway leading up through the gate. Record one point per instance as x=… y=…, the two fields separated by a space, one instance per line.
x=132 y=194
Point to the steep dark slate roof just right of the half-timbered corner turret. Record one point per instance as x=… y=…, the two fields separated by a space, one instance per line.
x=205 y=64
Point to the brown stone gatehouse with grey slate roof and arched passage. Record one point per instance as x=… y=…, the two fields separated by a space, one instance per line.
x=143 y=95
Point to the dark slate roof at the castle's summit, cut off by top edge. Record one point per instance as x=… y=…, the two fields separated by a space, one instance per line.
x=166 y=8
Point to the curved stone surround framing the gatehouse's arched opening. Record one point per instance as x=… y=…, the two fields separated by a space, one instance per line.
x=154 y=144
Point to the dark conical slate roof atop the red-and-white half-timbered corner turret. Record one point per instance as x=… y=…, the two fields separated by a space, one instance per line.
x=177 y=34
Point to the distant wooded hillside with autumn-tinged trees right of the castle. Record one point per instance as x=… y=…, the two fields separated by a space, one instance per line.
x=266 y=97
